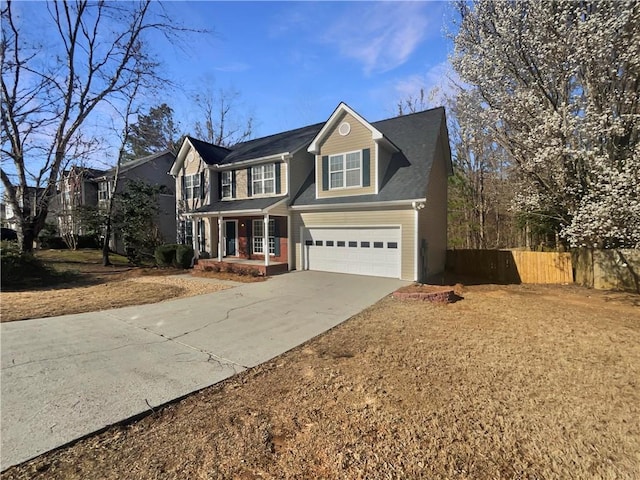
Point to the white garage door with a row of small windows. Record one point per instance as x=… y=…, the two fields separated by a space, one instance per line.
x=362 y=251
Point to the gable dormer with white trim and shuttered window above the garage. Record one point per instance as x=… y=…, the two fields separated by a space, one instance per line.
x=349 y=155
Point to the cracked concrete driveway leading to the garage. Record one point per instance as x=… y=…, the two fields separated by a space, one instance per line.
x=66 y=377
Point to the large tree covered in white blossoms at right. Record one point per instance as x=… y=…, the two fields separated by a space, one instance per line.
x=560 y=84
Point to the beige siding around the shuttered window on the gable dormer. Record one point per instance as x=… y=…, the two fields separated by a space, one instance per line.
x=358 y=138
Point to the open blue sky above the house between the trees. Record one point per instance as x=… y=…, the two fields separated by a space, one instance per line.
x=293 y=62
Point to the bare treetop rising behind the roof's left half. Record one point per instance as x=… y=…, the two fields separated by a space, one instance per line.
x=221 y=123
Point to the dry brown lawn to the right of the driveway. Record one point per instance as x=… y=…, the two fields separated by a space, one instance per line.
x=511 y=382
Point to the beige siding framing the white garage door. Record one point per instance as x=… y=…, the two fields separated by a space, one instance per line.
x=403 y=217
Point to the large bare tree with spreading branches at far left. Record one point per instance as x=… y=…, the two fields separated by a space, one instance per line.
x=100 y=54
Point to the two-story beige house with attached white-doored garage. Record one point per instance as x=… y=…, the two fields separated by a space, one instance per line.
x=344 y=196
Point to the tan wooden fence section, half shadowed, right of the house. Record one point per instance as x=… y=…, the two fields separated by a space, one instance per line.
x=511 y=266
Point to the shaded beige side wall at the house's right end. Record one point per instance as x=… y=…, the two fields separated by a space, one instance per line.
x=433 y=218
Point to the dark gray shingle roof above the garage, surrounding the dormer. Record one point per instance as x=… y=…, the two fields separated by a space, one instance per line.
x=407 y=177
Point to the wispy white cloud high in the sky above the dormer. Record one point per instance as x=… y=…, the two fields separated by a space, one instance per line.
x=382 y=36
